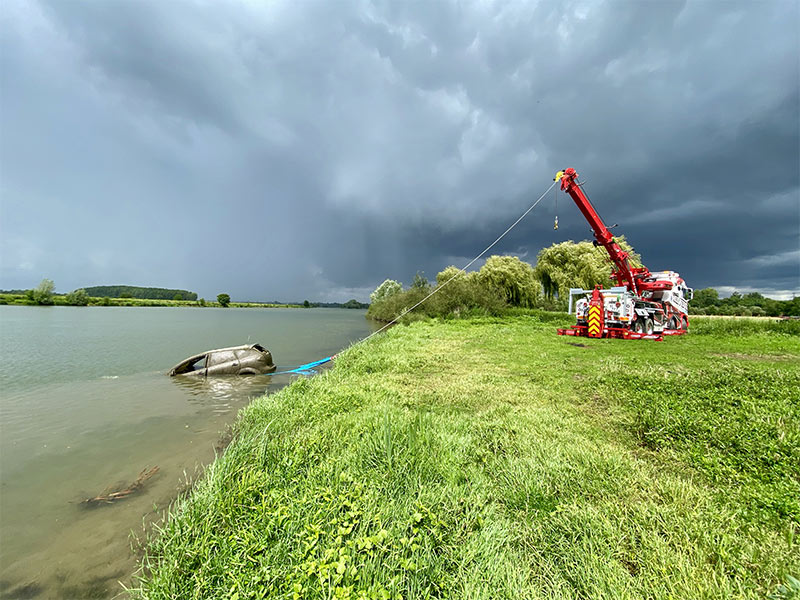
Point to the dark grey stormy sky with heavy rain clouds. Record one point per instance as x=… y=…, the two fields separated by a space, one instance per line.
x=307 y=149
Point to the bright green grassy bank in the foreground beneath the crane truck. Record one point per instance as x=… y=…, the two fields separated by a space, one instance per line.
x=490 y=458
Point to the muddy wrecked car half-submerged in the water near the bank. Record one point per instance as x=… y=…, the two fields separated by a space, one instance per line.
x=250 y=359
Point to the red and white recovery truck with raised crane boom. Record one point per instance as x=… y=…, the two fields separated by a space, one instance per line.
x=644 y=305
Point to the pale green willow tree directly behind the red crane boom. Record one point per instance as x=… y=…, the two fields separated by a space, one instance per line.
x=577 y=265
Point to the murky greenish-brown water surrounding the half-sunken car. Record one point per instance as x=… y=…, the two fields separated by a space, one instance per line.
x=86 y=407
